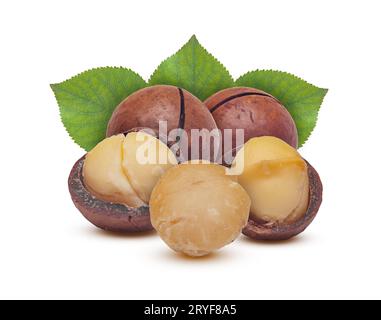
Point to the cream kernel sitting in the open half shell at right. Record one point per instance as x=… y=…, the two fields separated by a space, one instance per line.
x=276 y=179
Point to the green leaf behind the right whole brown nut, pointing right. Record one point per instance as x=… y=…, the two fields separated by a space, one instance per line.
x=301 y=99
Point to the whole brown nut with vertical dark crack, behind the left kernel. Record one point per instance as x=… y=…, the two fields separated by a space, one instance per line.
x=148 y=106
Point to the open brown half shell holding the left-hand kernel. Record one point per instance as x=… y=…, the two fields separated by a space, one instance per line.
x=105 y=215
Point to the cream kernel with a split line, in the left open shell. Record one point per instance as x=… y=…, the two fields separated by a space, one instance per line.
x=107 y=169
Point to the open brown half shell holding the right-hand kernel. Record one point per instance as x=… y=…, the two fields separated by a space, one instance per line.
x=274 y=231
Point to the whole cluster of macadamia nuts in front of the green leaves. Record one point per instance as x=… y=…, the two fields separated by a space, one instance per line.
x=132 y=181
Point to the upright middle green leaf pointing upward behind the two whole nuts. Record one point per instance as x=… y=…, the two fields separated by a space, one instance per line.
x=194 y=69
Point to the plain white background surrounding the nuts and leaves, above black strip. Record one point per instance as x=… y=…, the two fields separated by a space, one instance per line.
x=48 y=250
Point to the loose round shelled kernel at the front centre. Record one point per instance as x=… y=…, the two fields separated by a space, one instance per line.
x=197 y=208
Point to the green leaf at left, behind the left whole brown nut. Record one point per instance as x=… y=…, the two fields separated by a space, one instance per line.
x=87 y=101
